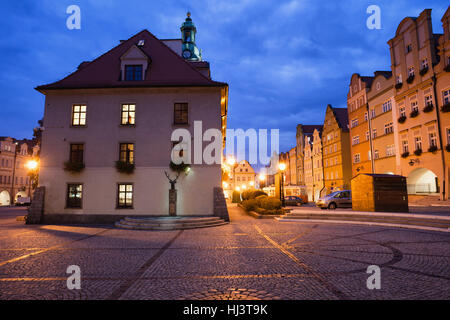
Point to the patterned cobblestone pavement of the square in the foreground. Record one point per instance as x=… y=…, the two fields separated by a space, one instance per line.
x=246 y=259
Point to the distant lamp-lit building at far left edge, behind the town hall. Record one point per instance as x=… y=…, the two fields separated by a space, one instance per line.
x=14 y=179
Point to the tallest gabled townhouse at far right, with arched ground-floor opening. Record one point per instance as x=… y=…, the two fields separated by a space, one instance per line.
x=417 y=64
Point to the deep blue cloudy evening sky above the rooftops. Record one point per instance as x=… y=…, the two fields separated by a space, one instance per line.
x=284 y=60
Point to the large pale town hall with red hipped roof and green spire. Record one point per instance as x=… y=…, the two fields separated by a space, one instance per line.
x=121 y=110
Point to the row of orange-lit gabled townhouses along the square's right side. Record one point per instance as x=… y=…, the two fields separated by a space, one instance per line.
x=396 y=121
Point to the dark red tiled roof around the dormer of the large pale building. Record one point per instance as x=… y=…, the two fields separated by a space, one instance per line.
x=166 y=69
